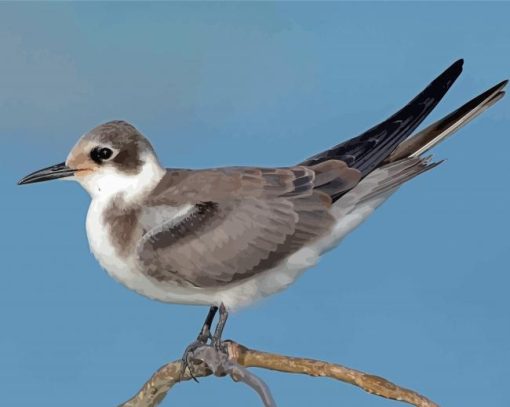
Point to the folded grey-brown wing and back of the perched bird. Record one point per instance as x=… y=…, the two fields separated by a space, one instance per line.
x=238 y=221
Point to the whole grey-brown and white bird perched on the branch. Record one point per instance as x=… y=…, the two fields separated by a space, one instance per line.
x=227 y=237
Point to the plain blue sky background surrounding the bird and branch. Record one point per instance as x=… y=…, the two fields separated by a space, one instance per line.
x=419 y=294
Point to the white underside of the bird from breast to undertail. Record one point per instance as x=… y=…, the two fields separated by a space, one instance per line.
x=349 y=212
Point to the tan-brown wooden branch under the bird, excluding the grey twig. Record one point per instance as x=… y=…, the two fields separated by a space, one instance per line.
x=161 y=382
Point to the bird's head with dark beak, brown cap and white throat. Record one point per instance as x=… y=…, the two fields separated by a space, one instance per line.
x=110 y=159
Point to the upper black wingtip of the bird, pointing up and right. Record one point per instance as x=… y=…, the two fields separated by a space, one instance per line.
x=366 y=151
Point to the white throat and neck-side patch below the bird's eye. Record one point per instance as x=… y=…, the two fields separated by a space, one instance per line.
x=106 y=183
